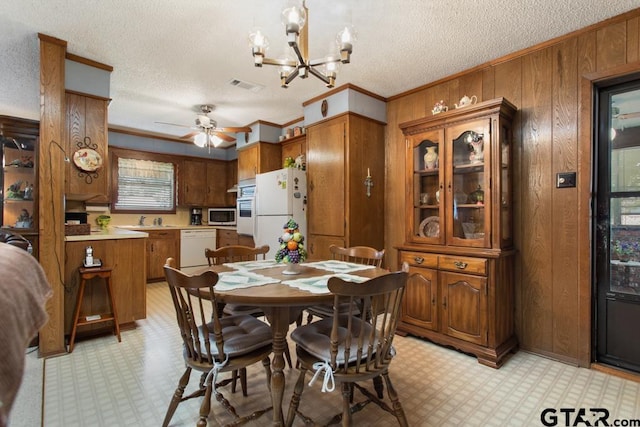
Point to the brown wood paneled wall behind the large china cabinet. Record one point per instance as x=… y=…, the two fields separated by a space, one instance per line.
x=546 y=83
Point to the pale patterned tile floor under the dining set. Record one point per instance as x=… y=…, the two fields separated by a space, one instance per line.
x=106 y=383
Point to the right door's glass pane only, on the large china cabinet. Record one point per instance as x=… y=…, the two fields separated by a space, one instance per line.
x=467 y=190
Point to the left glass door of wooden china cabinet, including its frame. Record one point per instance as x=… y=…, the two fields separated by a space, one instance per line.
x=428 y=198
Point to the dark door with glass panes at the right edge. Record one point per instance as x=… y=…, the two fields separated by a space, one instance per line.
x=617 y=224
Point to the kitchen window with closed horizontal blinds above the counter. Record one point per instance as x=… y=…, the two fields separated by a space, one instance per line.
x=144 y=185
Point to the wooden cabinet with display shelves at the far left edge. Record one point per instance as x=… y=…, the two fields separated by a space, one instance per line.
x=19 y=178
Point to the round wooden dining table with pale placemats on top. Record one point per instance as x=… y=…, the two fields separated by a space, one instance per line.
x=282 y=297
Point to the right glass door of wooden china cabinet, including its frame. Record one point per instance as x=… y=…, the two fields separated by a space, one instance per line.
x=467 y=184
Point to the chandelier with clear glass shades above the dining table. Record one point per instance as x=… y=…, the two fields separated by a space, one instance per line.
x=294 y=19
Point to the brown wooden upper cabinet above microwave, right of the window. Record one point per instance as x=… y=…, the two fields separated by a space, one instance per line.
x=203 y=183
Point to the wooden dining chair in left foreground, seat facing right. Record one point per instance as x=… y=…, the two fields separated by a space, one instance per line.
x=213 y=344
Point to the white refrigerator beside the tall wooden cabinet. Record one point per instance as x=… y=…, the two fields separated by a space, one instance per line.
x=280 y=195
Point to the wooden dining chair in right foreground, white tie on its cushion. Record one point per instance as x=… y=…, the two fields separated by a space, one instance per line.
x=352 y=347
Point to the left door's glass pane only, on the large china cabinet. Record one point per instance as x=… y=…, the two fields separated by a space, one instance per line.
x=426 y=197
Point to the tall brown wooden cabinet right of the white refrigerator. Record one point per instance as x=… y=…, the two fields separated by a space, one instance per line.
x=341 y=152
